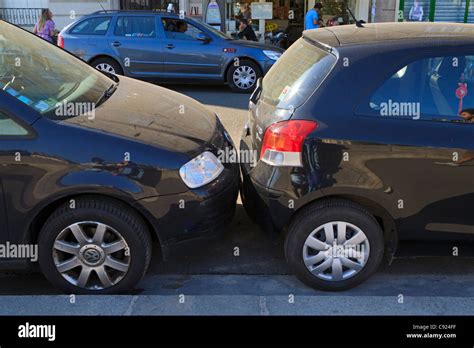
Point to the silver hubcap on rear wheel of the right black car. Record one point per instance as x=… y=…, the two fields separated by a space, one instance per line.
x=336 y=251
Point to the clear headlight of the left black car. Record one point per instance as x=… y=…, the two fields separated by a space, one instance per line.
x=201 y=170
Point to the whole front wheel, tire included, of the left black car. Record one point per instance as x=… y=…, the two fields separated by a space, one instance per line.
x=96 y=247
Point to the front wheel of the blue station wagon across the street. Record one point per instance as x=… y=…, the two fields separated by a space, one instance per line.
x=243 y=78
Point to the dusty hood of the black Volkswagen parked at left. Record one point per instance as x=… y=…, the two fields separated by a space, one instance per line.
x=157 y=116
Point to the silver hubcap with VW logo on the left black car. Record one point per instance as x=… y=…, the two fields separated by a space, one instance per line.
x=91 y=255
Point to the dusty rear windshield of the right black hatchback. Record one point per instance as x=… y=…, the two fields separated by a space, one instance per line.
x=296 y=75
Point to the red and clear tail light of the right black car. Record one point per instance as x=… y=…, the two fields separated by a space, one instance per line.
x=283 y=142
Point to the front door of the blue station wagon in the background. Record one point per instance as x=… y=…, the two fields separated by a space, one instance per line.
x=186 y=52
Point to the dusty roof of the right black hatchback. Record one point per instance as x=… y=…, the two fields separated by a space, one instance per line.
x=373 y=33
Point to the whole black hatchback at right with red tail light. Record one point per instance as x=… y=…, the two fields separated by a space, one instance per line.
x=365 y=136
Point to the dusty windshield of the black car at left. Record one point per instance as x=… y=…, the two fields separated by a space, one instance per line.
x=45 y=77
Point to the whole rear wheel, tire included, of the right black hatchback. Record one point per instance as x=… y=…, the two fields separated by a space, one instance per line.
x=334 y=245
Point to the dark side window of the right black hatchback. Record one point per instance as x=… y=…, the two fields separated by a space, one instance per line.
x=436 y=89
